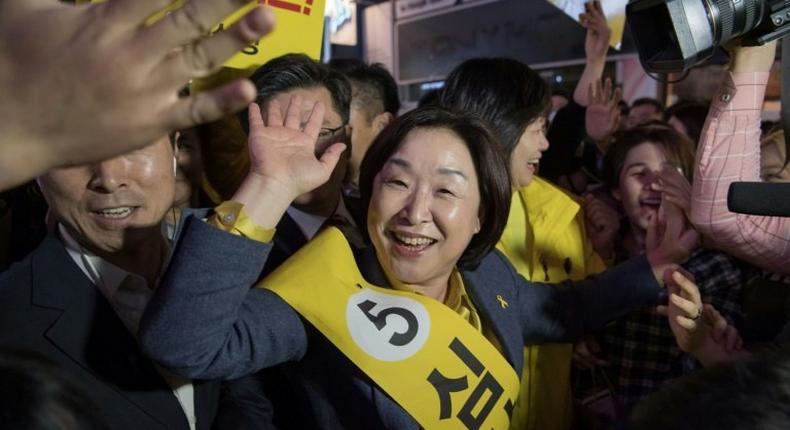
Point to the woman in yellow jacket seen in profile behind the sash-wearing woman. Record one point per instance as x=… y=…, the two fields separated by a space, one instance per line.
x=546 y=236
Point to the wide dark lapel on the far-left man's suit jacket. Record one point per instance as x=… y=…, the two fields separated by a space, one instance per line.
x=90 y=333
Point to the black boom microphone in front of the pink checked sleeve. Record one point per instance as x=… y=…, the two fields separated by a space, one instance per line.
x=759 y=198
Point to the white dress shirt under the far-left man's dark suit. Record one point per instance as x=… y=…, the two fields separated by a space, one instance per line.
x=128 y=295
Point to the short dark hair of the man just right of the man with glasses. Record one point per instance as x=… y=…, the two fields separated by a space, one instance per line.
x=376 y=90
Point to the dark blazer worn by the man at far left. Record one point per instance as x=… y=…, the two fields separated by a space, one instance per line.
x=49 y=306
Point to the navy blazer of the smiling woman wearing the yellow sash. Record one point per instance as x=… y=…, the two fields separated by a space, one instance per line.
x=204 y=321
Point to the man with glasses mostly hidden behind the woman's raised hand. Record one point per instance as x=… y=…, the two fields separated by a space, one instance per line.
x=277 y=81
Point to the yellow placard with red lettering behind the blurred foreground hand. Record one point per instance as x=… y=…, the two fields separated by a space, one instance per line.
x=299 y=29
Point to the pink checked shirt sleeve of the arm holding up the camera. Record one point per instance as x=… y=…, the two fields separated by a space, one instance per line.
x=729 y=151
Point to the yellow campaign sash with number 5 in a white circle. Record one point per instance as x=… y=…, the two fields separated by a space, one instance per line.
x=435 y=364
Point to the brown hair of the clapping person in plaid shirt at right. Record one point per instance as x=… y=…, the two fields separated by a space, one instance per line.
x=679 y=149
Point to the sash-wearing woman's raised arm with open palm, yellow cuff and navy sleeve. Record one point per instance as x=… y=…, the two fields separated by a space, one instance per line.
x=204 y=321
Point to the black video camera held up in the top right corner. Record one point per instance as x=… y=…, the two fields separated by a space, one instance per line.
x=674 y=35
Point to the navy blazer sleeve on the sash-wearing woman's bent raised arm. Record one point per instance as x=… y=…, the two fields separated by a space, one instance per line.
x=205 y=322
